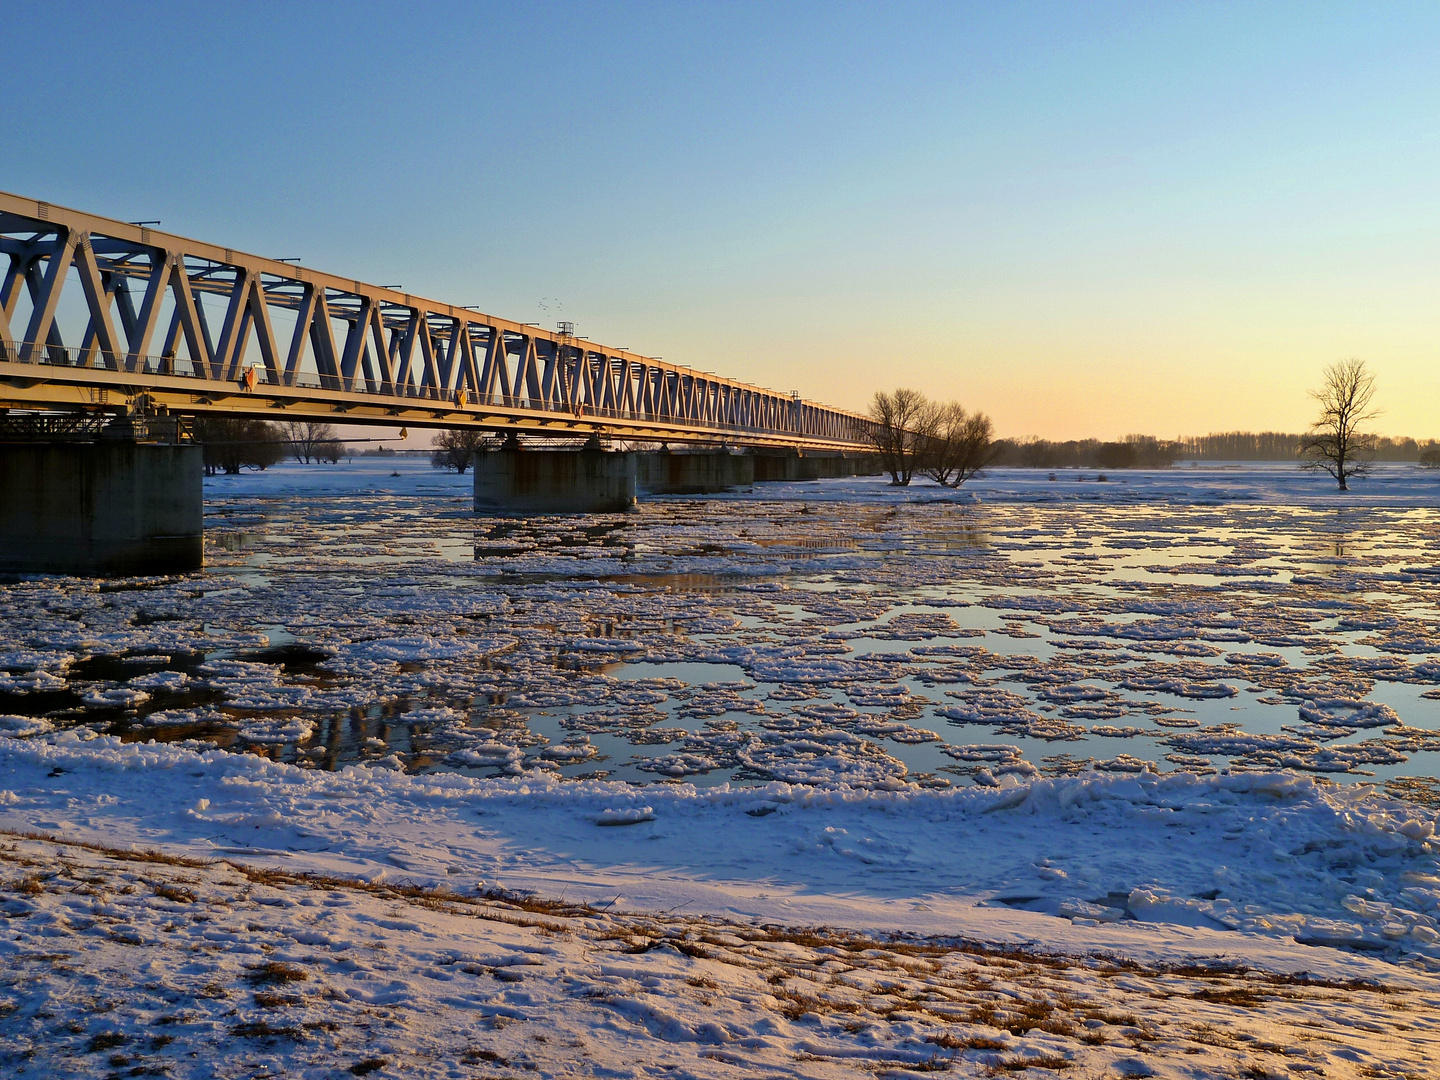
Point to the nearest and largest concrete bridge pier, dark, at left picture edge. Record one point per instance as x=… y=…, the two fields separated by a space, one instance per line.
x=107 y=506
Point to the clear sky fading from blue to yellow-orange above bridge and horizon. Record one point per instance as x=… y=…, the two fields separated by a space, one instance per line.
x=1086 y=220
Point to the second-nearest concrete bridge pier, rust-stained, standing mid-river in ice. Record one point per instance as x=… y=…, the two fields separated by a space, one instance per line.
x=548 y=482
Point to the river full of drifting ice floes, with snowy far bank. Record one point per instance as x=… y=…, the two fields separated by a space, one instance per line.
x=830 y=633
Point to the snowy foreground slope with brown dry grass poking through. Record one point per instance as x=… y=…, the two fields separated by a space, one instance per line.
x=138 y=964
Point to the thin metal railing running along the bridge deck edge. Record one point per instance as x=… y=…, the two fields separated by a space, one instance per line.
x=256 y=379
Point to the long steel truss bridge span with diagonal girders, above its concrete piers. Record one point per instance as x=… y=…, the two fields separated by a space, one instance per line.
x=175 y=326
